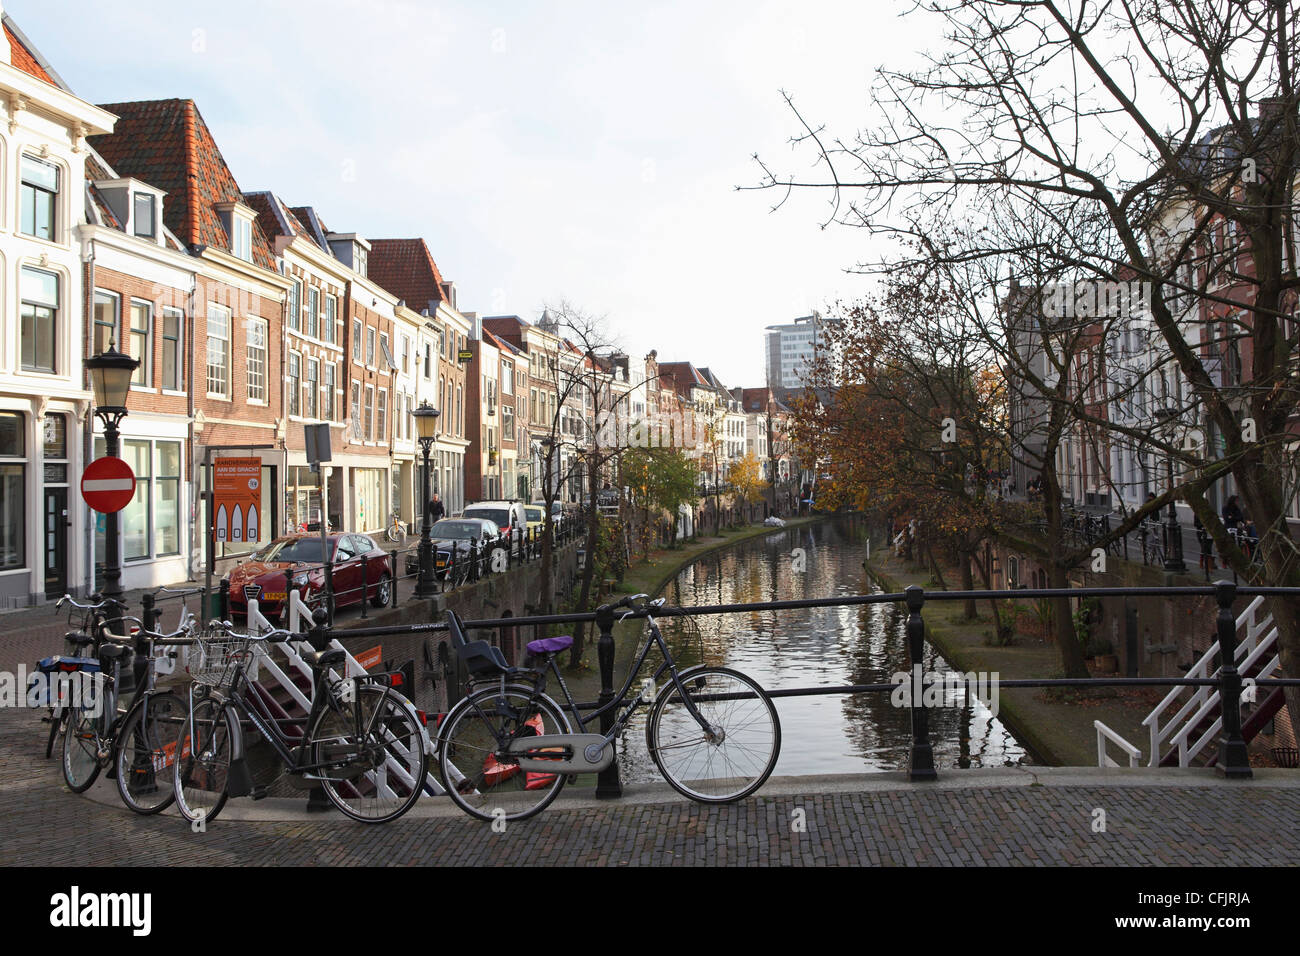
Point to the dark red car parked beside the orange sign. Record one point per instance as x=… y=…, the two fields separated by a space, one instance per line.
x=302 y=556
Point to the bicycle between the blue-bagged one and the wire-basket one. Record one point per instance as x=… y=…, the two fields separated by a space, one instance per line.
x=133 y=741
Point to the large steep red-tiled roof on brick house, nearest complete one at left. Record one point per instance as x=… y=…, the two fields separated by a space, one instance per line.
x=167 y=144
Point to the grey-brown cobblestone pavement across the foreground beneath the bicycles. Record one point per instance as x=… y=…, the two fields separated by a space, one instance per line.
x=1198 y=821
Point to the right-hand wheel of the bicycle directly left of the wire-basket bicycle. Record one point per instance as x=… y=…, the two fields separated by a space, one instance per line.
x=146 y=751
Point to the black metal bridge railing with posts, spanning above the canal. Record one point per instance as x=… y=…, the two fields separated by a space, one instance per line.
x=1232 y=763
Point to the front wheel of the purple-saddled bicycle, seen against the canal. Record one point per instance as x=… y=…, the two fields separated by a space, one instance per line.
x=734 y=759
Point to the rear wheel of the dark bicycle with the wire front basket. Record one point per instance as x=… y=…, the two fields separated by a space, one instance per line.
x=379 y=776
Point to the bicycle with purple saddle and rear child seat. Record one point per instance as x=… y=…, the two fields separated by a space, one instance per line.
x=506 y=751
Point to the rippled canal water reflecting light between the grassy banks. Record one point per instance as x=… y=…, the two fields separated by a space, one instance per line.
x=820 y=647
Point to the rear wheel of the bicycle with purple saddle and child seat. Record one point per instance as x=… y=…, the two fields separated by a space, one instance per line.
x=478 y=777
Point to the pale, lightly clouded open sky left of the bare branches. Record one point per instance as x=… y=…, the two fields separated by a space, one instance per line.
x=571 y=152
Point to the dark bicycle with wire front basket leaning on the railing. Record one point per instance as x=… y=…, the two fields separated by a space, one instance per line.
x=362 y=742
